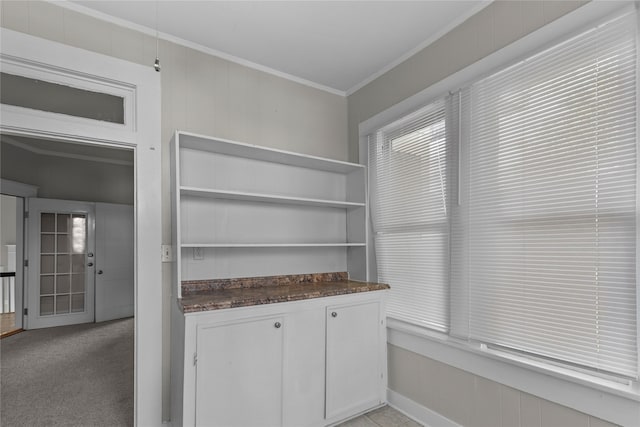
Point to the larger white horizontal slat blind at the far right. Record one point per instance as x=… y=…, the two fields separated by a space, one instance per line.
x=551 y=209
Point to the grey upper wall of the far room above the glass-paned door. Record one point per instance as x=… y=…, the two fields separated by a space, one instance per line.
x=68 y=178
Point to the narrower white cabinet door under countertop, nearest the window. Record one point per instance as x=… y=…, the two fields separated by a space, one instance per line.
x=353 y=375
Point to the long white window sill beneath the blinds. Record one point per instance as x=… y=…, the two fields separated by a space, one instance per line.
x=617 y=402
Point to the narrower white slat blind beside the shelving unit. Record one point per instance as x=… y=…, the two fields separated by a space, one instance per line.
x=409 y=178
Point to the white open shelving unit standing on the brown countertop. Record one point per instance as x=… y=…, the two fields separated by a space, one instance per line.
x=241 y=210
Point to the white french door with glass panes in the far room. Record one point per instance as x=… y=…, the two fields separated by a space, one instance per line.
x=60 y=272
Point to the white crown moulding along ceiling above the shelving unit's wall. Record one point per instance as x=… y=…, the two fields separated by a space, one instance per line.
x=195 y=46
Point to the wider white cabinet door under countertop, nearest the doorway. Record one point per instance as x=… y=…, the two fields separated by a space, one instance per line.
x=239 y=373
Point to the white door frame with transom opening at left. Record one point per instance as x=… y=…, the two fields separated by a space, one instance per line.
x=25 y=54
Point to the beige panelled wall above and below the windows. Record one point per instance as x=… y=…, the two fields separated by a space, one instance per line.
x=464 y=398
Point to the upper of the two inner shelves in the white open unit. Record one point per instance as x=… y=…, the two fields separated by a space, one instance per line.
x=266 y=198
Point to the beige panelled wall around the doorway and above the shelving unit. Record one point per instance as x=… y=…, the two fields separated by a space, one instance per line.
x=203 y=94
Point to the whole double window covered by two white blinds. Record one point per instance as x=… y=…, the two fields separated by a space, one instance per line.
x=537 y=252
